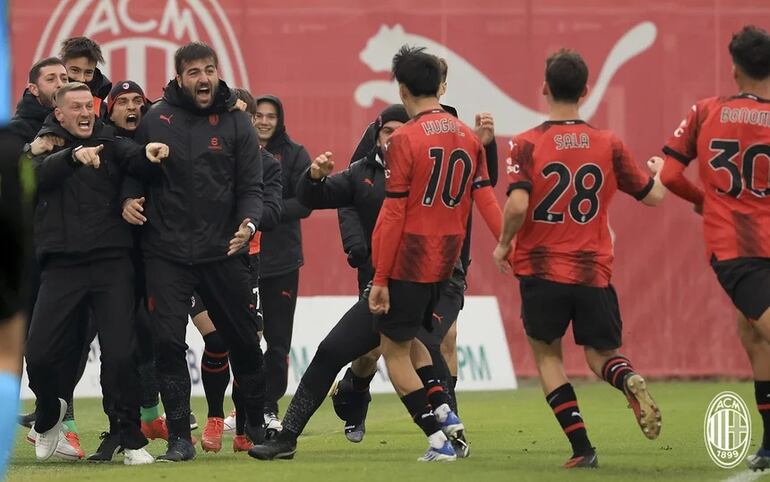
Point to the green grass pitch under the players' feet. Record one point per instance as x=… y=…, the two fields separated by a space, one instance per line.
x=513 y=436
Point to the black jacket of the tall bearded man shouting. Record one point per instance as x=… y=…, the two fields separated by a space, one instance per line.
x=211 y=181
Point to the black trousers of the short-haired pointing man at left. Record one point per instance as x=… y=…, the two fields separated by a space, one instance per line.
x=56 y=338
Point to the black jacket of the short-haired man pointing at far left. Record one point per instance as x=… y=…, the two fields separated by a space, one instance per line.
x=78 y=211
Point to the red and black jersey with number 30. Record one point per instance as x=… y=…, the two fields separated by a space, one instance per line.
x=730 y=138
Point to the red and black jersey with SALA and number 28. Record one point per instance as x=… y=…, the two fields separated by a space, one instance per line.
x=571 y=171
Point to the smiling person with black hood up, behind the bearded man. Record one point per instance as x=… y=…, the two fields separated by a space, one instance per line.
x=282 y=254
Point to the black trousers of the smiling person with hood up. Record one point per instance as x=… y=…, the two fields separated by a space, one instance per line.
x=279 y=300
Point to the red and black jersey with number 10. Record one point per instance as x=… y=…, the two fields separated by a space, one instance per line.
x=433 y=165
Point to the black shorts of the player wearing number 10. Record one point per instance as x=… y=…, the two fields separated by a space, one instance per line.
x=411 y=307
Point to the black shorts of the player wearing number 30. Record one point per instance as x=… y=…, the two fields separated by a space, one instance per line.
x=747 y=283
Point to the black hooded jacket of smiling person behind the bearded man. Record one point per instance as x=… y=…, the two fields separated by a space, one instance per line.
x=282 y=247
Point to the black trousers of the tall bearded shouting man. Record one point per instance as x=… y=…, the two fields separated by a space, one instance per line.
x=225 y=288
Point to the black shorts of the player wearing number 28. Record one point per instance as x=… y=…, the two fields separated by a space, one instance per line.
x=547 y=307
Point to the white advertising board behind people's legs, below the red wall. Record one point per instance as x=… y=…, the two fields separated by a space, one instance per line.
x=484 y=362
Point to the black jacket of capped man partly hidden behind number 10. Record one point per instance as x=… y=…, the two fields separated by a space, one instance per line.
x=361 y=187
